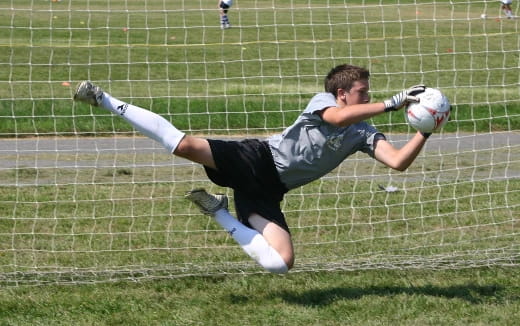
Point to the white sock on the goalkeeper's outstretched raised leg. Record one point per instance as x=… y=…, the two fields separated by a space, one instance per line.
x=150 y=124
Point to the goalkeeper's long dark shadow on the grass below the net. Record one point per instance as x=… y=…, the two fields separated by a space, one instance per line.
x=322 y=297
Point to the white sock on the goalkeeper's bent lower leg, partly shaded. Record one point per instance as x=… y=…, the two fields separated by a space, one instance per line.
x=253 y=243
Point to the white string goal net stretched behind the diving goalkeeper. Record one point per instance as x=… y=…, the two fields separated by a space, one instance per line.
x=84 y=198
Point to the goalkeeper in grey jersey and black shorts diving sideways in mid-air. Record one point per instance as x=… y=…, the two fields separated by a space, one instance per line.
x=260 y=172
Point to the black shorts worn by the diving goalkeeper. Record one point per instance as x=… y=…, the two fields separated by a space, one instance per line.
x=248 y=168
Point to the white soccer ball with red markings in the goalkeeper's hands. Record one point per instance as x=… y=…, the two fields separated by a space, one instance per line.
x=430 y=113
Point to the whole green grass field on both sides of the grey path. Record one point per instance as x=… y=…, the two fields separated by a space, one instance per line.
x=398 y=257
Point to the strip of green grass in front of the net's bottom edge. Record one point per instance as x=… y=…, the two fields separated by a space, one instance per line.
x=414 y=297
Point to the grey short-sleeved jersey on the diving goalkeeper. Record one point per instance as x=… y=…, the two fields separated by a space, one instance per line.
x=311 y=147
